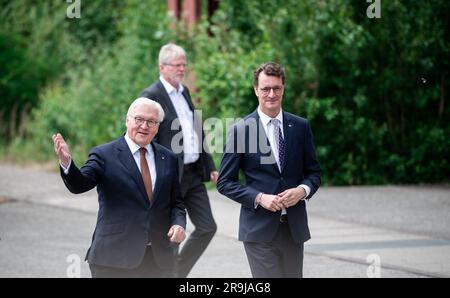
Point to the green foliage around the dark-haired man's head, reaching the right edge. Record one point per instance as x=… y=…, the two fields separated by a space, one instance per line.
x=373 y=89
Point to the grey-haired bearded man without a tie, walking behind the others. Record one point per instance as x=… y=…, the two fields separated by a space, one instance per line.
x=182 y=132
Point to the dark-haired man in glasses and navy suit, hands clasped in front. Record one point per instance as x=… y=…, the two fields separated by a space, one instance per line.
x=275 y=151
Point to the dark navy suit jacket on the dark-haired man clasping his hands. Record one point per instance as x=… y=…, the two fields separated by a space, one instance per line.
x=248 y=149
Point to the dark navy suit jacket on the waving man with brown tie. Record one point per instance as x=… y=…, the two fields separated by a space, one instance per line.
x=126 y=220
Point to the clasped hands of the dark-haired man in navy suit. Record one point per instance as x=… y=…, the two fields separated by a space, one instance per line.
x=286 y=199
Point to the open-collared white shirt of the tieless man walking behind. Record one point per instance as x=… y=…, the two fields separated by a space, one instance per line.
x=186 y=118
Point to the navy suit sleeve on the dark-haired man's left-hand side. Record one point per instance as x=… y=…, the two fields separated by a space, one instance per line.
x=228 y=182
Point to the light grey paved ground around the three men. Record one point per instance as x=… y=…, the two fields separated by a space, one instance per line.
x=356 y=231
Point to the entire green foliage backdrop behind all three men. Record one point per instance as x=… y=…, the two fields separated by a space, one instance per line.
x=374 y=90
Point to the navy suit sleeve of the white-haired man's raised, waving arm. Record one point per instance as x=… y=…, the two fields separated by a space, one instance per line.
x=87 y=177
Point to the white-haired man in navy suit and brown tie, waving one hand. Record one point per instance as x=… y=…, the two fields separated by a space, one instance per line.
x=141 y=215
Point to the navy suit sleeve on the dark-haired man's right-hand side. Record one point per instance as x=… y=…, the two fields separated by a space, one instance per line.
x=310 y=163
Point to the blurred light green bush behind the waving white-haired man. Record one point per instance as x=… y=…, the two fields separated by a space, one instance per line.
x=89 y=107
